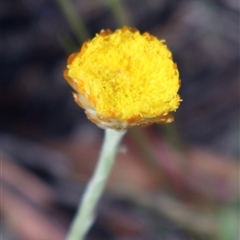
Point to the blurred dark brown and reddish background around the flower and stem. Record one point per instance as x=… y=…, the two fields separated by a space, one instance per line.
x=173 y=182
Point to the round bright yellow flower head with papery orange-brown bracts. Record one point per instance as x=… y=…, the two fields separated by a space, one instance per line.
x=124 y=78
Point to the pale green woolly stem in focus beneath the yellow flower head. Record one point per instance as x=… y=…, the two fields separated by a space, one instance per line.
x=86 y=212
